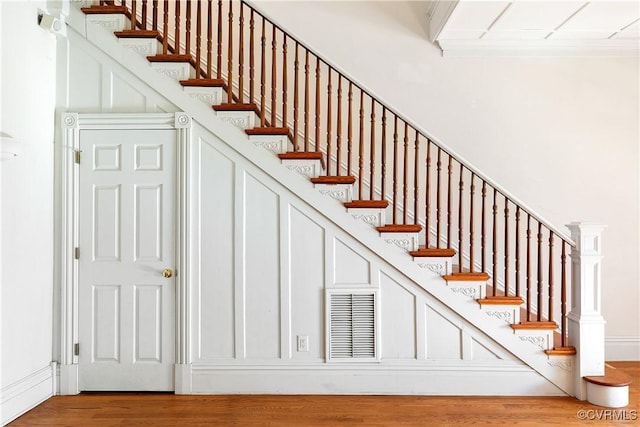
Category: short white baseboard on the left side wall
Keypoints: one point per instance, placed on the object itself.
(25, 394)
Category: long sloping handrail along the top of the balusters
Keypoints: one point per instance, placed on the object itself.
(449, 151)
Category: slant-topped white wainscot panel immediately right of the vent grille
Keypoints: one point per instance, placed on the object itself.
(398, 319)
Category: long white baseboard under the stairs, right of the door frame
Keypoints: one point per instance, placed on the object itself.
(453, 380)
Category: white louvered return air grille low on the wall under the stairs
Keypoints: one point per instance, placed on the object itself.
(352, 326)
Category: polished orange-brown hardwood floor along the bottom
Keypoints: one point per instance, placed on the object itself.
(160, 409)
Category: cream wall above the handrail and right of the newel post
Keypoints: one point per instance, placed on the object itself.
(559, 133)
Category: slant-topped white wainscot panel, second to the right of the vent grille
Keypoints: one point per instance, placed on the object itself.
(444, 339)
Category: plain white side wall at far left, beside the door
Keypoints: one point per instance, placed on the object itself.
(28, 97)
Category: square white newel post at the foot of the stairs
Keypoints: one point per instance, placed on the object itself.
(586, 324)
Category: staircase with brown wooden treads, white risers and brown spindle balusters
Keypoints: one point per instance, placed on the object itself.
(482, 244)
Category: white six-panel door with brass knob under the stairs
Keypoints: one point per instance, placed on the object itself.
(126, 259)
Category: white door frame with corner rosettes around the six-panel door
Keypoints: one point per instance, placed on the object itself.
(71, 124)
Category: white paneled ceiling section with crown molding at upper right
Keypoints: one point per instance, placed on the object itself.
(535, 28)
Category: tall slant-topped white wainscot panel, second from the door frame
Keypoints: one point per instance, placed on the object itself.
(261, 270)
